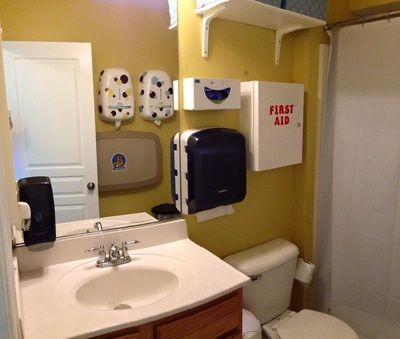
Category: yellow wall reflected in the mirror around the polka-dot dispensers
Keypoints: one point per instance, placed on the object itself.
(129, 34)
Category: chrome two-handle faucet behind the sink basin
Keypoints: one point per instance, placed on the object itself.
(117, 255)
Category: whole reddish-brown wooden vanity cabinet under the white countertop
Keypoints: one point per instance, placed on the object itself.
(218, 319)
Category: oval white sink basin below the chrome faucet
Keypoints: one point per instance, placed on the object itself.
(126, 288)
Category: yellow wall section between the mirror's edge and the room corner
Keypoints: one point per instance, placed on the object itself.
(242, 52)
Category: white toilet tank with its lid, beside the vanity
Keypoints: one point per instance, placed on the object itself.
(271, 266)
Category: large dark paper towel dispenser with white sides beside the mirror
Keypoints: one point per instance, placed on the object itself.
(212, 168)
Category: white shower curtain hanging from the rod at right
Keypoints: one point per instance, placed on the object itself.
(358, 207)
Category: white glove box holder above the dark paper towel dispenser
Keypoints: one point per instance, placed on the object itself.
(210, 94)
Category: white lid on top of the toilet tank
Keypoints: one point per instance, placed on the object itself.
(264, 257)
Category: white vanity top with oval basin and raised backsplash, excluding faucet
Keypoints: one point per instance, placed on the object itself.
(64, 295)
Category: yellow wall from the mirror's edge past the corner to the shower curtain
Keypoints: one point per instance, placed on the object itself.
(274, 198)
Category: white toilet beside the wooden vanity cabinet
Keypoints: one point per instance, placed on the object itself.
(271, 267)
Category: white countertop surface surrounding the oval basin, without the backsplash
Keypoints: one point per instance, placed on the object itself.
(47, 315)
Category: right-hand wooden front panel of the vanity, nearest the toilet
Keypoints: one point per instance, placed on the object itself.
(222, 320)
